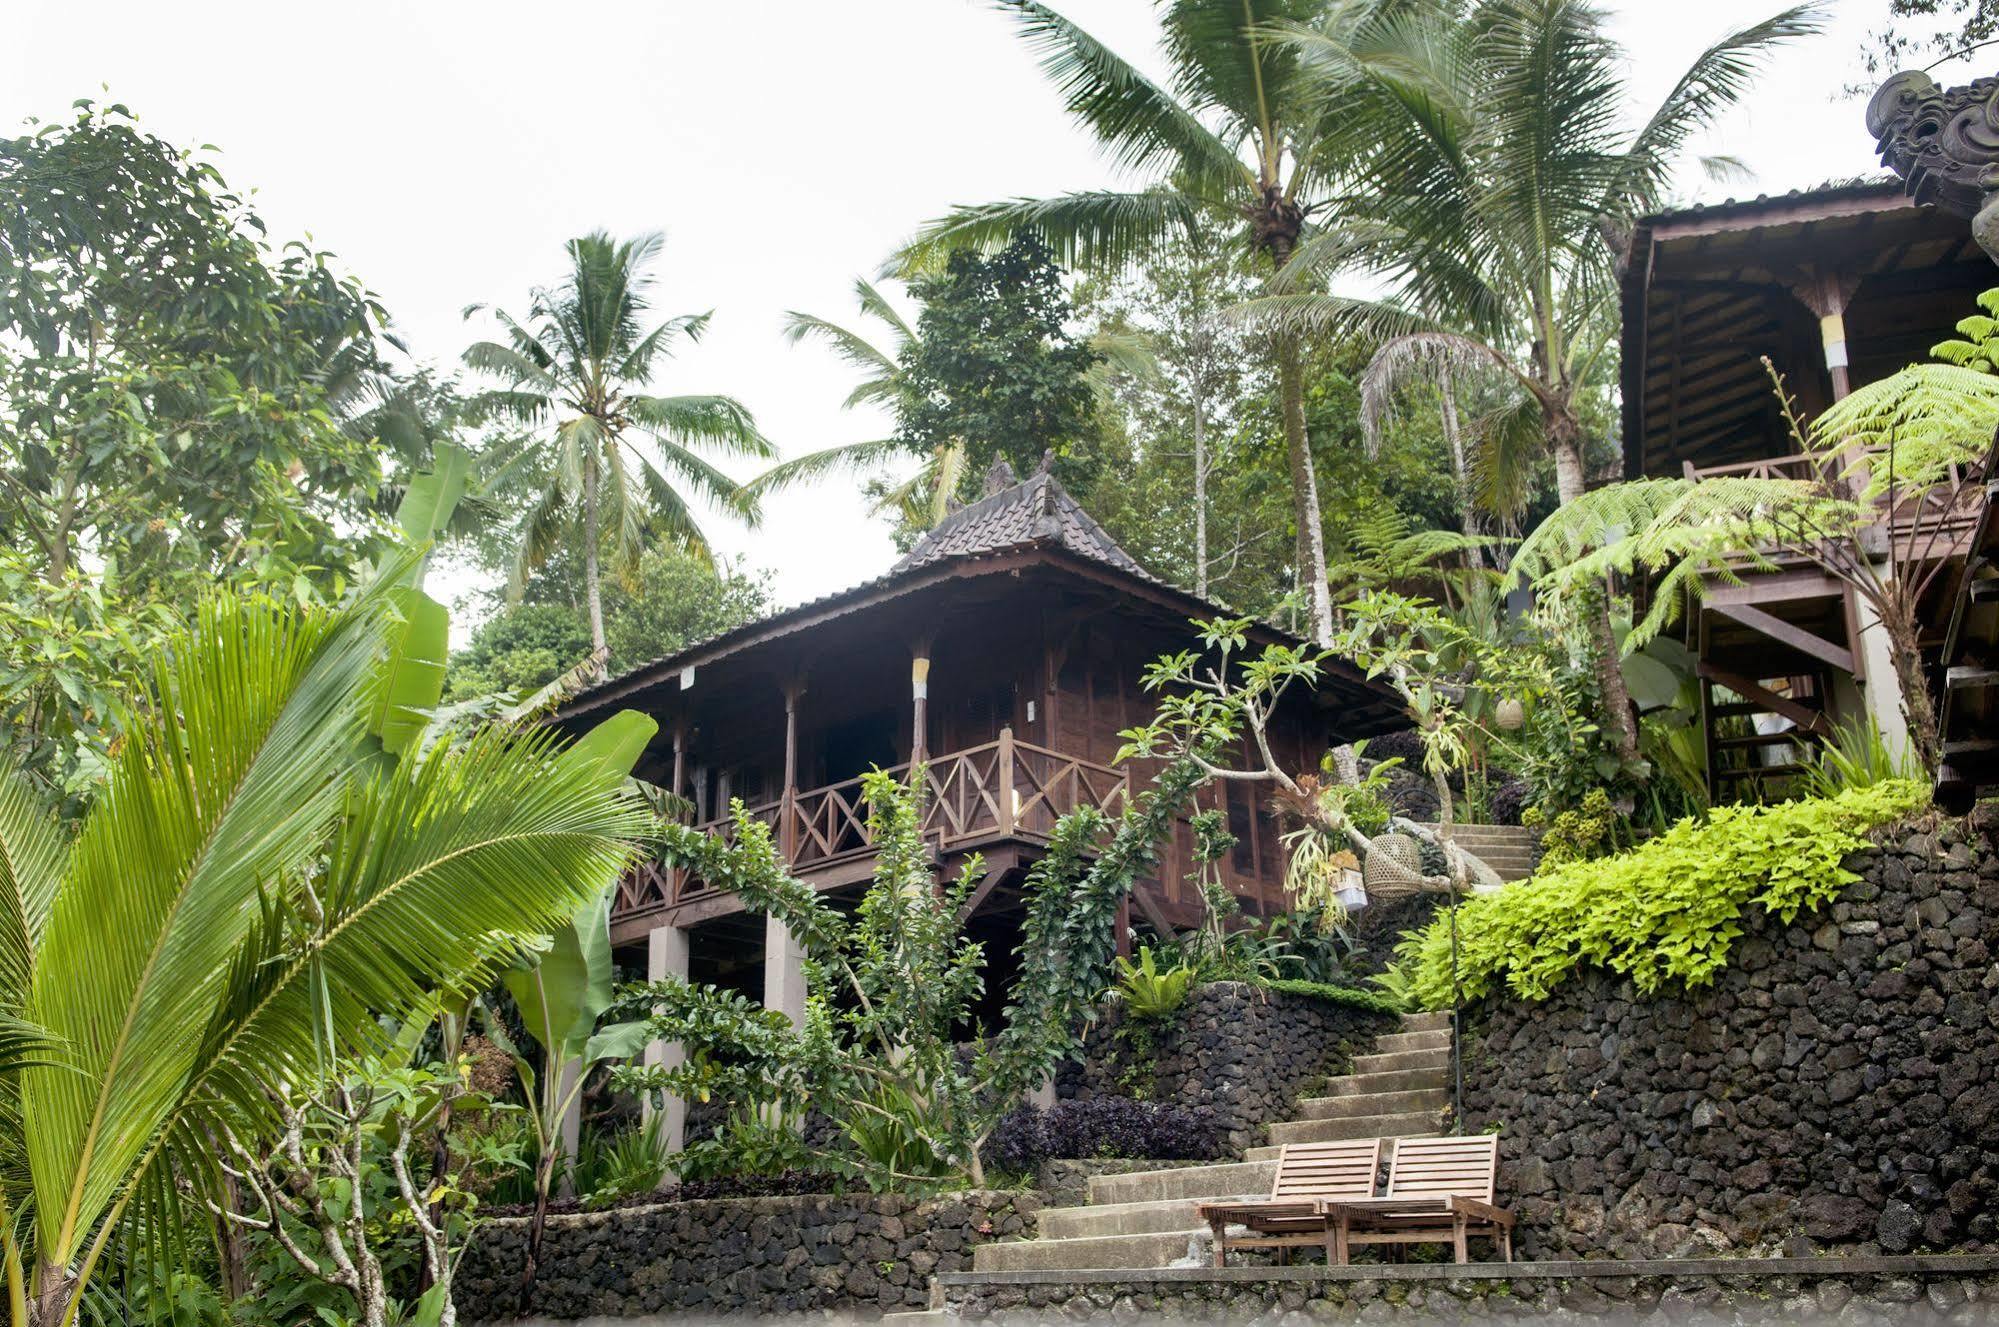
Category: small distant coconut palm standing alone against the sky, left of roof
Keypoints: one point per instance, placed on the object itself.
(575, 373)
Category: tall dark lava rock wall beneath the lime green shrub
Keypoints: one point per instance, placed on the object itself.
(1838, 1088)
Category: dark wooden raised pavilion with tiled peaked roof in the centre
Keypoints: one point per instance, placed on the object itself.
(1002, 653)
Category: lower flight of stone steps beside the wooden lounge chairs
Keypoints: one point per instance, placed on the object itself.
(1150, 1218)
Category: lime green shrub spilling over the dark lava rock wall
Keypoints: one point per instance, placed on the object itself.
(1666, 912)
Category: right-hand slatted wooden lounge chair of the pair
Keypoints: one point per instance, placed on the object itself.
(1440, 1190)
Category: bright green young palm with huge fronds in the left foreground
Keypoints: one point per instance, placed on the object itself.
(275, 864)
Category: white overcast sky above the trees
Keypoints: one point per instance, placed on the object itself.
(785, 147)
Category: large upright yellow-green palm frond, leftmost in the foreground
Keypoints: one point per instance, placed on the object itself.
(203, 812)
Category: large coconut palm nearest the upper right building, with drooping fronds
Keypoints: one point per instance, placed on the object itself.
(1494, 159)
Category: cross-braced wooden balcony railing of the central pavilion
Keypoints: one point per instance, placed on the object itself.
(999, 790)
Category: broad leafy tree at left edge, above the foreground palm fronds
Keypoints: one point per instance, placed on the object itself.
(181, 403)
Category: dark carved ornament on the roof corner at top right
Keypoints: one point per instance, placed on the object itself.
(1944, 143)
